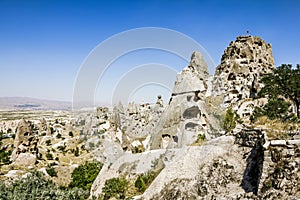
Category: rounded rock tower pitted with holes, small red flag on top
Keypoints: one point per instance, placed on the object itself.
(242, 65)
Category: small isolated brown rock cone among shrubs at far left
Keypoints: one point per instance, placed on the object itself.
(25, 145)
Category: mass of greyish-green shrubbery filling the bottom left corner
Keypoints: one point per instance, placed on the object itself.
(35, 186)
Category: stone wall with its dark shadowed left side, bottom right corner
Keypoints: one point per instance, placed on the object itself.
(272, 170)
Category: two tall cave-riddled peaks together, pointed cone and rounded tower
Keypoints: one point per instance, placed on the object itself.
(199, 100)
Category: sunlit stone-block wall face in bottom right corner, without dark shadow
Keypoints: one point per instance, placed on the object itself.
(281, 174)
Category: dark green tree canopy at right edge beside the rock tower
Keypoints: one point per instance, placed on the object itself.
(283, 82)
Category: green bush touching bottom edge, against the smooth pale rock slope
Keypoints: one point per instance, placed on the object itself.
(115, 187)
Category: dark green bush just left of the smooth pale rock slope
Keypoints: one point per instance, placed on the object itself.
(84, 175)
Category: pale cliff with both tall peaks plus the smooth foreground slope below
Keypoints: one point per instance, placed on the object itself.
(232, 166)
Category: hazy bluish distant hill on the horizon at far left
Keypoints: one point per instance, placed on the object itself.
(25, 103)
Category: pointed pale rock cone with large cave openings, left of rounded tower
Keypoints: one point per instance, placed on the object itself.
(186, 115)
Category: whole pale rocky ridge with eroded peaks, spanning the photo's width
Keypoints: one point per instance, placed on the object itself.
(183, 143)
